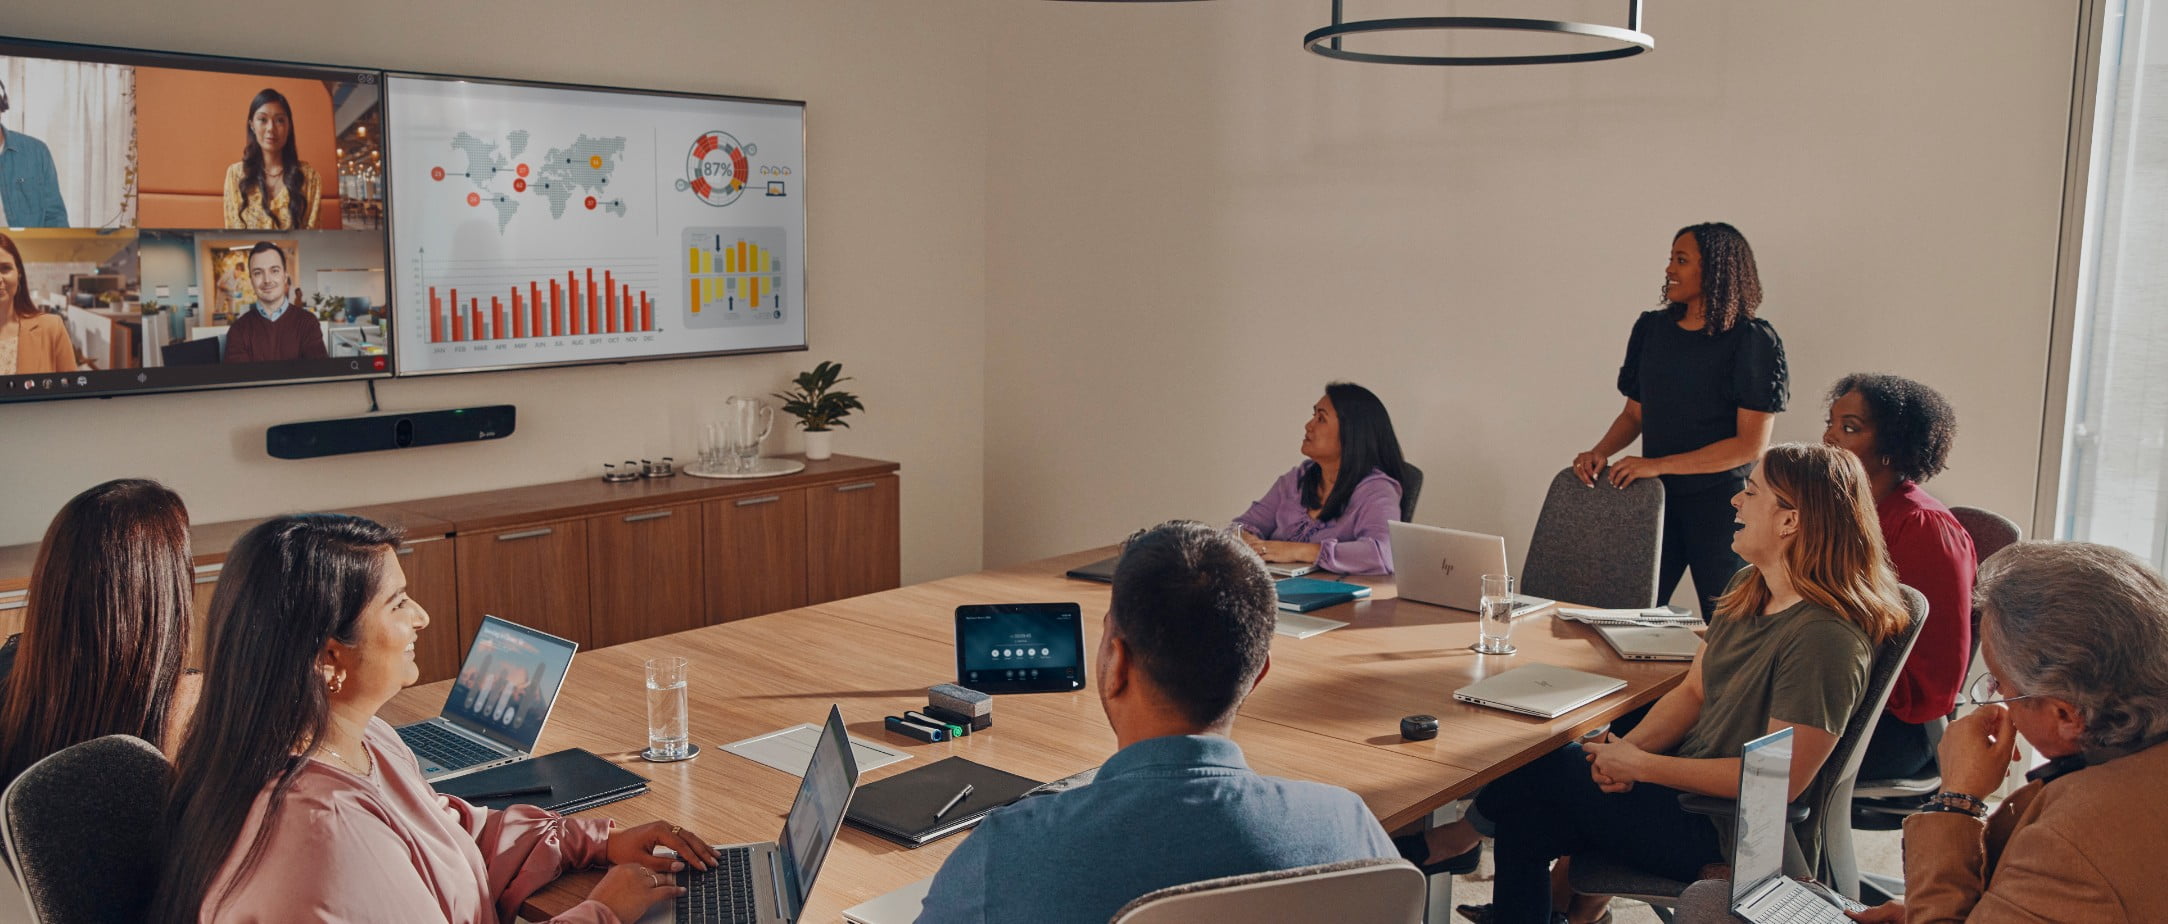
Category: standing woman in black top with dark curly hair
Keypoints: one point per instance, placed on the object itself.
(1703, 383)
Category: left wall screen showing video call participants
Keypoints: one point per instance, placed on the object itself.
(188, 222)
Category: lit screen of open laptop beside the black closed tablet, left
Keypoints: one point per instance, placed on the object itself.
(508, 682)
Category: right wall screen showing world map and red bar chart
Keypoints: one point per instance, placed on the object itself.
(556, 224)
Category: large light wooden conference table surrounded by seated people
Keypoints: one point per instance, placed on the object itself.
(1328, 710)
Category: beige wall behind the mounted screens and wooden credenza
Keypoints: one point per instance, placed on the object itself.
(899, 136)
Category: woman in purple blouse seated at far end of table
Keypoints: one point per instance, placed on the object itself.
(1332, 509)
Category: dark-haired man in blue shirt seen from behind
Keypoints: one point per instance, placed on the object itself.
(1185, 641)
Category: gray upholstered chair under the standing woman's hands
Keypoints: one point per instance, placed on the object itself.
(1599, 546)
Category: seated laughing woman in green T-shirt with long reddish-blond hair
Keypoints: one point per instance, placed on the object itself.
(1792, 647)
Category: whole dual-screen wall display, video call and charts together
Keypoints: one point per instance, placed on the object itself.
(188, 222)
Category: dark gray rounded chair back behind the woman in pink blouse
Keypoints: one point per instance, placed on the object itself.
(81, 830)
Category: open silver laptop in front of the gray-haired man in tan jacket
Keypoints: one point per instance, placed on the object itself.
(1761, 893)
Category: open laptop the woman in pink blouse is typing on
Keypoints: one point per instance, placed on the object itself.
(771, 882)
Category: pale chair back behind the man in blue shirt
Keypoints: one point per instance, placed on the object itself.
(1347, 893)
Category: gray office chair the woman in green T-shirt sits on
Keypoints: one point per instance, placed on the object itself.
(1820, 838)
